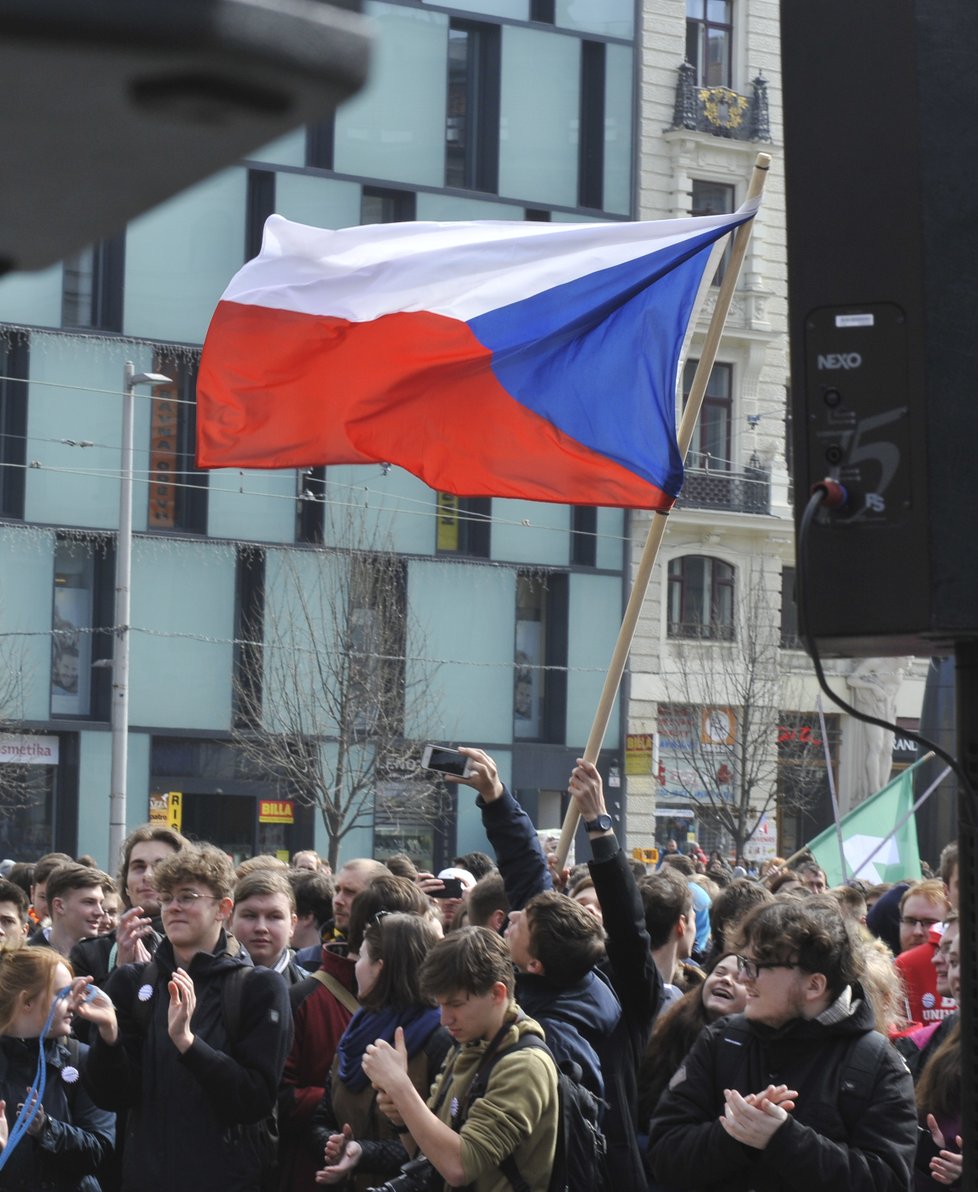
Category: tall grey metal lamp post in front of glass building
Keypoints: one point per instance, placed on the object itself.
(120, 719)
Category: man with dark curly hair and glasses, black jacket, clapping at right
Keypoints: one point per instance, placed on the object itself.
(799, 1092)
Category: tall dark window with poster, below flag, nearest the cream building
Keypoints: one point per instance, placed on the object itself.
(540, 673)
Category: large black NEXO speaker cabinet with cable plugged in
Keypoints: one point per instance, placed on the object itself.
(882, 169)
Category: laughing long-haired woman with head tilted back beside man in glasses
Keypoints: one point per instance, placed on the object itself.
(677, 1030)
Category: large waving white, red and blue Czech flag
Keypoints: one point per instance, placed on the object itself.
(502, 359)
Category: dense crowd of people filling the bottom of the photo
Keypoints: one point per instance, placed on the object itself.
(277, 1028)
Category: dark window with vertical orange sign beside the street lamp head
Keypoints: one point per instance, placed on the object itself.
(178, 492)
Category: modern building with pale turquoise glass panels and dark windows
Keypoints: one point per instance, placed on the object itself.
(506, 110)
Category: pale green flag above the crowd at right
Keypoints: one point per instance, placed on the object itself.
(874, 850)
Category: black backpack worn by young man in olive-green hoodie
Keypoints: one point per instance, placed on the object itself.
(580, 1163)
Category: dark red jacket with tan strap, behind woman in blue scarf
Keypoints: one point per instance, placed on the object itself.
(320, 1020)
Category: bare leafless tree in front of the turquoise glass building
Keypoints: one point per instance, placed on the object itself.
(323, 703)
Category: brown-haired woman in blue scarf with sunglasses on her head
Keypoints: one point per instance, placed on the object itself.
(350, 1128)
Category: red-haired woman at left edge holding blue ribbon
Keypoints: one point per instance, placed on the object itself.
(67, 1140)
